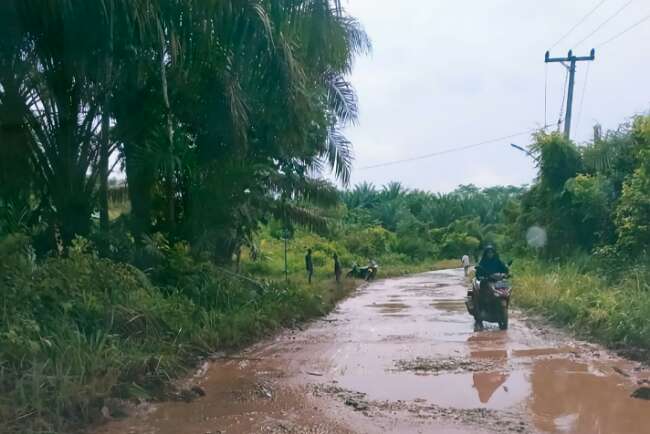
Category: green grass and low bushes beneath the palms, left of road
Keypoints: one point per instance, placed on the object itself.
(79, 329)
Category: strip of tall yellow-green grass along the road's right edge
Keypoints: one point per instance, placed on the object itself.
(583, 298)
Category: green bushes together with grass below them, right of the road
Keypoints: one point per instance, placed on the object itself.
(589, 208)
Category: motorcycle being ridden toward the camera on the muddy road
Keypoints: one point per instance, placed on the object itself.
(489, 300)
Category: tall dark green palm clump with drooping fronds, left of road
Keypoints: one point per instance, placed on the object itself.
(186, 91)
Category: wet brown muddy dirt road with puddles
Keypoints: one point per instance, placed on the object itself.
(400, 356)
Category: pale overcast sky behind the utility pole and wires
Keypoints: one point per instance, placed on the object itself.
(449, 73)
